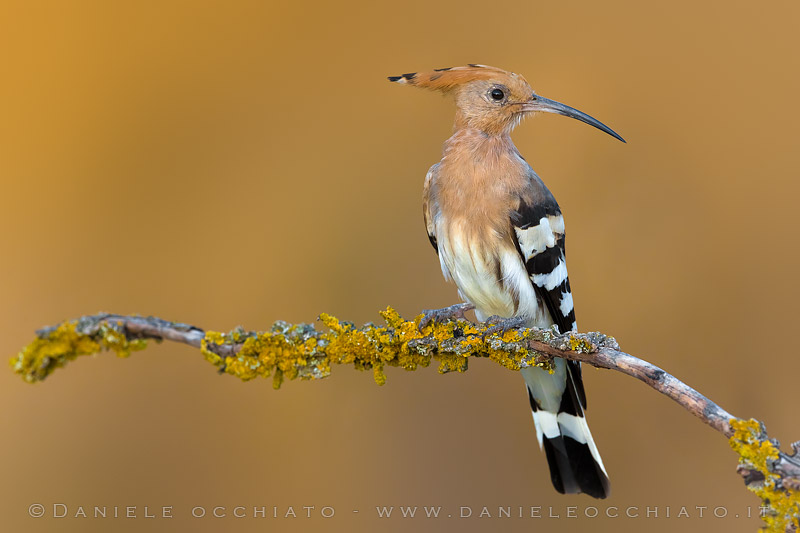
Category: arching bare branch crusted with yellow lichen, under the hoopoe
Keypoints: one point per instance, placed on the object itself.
(301, 351)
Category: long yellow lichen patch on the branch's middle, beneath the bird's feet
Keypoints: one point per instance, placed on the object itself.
(289, 353)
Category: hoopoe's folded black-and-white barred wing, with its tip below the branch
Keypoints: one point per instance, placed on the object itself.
(539, 231)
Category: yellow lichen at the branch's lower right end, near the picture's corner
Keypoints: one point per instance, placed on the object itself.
(782, 504)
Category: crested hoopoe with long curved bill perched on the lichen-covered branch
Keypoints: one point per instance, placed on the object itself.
(499, 234)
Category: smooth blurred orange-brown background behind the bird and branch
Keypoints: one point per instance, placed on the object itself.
(236, 163)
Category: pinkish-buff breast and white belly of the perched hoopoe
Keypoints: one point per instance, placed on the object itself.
(471, 196)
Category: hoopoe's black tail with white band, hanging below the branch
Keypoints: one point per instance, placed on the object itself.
(558, 401)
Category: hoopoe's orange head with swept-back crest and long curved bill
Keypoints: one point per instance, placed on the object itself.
(490, 99)
